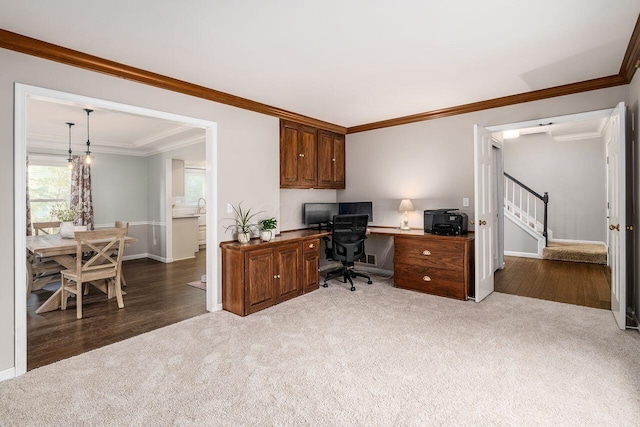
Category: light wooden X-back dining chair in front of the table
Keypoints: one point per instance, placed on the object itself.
(101, 270)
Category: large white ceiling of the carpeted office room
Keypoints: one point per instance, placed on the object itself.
(346, 62)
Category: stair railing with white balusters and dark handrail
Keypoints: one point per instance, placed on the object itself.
(527, 209)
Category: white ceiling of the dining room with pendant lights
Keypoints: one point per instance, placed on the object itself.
(110, 131)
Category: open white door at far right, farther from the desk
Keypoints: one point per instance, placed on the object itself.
(617, 222)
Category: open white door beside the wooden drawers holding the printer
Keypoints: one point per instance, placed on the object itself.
(485, 218)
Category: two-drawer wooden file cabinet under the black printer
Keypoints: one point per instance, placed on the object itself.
(439, 265)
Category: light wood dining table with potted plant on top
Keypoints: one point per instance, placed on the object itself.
(62, 251)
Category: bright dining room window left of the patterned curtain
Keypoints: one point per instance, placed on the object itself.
(49, 184)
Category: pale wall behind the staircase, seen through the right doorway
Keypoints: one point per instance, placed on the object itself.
(574, 175)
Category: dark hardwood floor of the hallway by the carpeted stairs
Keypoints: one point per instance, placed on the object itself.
(567, 282)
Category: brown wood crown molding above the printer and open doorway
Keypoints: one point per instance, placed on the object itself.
(536, 95)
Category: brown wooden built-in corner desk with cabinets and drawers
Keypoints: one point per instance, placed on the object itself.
(259, 274)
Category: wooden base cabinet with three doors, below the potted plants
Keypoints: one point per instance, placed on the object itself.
(259, 275)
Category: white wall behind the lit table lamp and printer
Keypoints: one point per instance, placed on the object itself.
(431, 162)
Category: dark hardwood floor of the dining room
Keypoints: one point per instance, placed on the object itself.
(157, 296)
